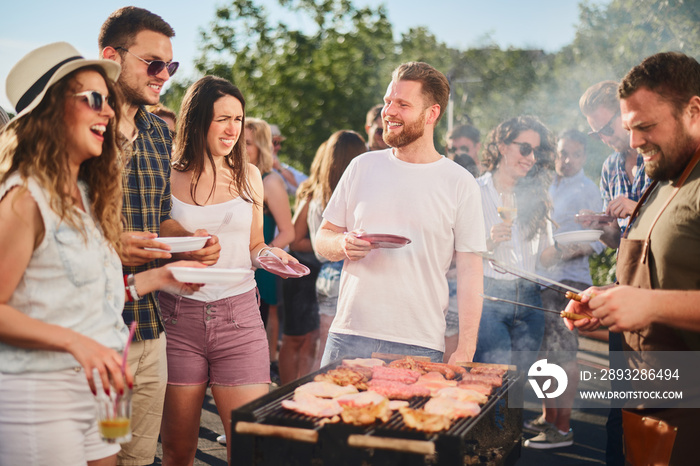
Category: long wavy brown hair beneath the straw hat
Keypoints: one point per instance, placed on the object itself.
(35, 146)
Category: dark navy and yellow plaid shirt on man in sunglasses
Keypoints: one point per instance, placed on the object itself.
(147, 203)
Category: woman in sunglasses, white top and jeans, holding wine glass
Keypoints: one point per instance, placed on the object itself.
(518, 158)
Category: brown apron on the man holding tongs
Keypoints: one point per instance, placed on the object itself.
(653, 436)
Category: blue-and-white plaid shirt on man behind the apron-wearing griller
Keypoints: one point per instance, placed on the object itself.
(614, 182)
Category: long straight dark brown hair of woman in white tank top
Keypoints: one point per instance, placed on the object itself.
(196, 115)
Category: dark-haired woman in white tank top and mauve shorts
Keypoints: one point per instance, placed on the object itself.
(215, 337)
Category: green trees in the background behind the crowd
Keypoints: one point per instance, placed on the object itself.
(314, 82)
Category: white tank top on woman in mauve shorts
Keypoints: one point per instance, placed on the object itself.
(233, 237)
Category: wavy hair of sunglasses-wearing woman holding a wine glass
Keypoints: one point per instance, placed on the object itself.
(531, 191)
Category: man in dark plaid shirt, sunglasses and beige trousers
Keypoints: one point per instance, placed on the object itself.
(140, 42)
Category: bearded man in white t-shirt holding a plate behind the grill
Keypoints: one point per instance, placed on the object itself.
(394, 300)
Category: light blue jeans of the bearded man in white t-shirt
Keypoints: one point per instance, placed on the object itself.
(340, 345)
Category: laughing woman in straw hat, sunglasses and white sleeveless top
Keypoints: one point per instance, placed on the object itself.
(61, 285)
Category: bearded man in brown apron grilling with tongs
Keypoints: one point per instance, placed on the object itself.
(658, 264)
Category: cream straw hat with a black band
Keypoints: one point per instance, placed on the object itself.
(40, 69)
